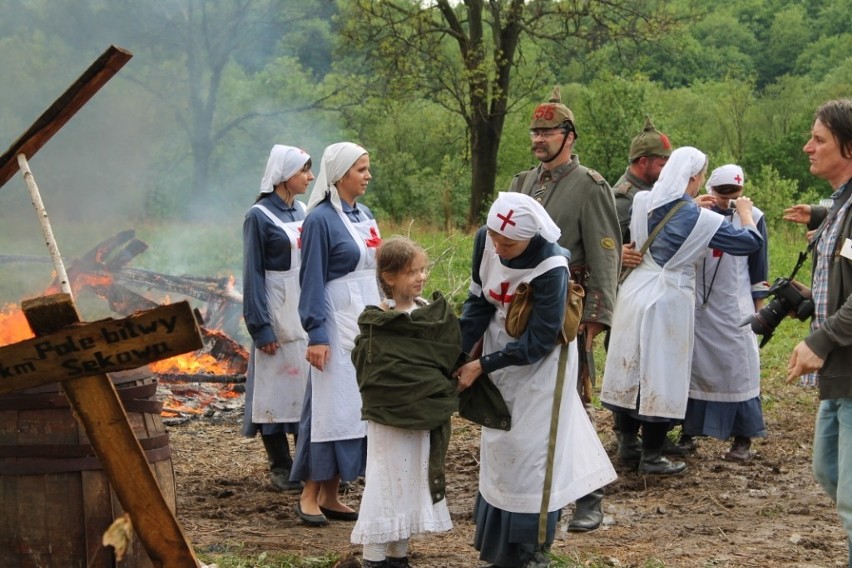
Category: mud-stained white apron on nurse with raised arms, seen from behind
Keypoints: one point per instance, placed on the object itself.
(650, 347)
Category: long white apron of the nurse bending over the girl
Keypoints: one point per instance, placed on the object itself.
(512, 464)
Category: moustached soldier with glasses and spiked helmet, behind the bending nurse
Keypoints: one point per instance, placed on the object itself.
(581, 203)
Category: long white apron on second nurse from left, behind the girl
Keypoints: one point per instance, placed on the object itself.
(335, 398)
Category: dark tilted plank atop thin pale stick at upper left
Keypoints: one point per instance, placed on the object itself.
(66, 106)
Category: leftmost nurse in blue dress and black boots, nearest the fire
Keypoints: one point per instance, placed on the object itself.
(278, 372)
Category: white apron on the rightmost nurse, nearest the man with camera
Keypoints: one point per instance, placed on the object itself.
(725, 359)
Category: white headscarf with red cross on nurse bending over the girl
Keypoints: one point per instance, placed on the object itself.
(520, 217)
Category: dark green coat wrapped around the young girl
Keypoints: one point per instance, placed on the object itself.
(404, 364)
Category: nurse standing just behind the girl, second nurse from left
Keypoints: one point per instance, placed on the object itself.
(338, 278)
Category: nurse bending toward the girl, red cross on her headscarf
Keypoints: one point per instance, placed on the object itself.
(517, 245)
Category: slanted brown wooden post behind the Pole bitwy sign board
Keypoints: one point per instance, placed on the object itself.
(98, 408)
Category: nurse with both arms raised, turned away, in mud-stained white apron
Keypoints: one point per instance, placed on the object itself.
(646, 378)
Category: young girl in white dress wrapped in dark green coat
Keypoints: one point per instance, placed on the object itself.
(404, 356)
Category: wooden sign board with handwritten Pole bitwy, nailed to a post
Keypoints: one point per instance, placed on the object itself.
(100, 347)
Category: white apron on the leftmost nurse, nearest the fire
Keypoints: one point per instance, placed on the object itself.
(280, 379)
